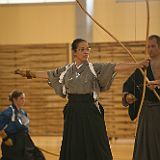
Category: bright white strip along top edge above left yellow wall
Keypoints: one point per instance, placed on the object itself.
(33, 1)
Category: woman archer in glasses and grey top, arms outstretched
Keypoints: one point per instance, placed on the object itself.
(84, 134)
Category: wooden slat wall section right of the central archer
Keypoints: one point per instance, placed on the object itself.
(116, 116)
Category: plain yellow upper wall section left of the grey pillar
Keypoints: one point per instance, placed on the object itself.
(37, 23)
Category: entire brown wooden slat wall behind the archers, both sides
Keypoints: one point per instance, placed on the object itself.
(44, 108)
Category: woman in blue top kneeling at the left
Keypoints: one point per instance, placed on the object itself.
(16, 141)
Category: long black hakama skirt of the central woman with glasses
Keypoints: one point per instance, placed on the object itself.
(84, 135)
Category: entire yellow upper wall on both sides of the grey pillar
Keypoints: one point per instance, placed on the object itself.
(27, 24)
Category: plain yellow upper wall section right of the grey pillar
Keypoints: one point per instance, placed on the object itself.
(126, 21)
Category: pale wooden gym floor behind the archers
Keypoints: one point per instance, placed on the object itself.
(121, 149)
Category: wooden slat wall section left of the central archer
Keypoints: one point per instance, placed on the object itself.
(43, 106)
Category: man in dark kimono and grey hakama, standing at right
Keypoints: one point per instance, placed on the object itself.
(147, 141)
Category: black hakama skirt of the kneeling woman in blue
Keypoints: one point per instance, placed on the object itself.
(23, 149)
